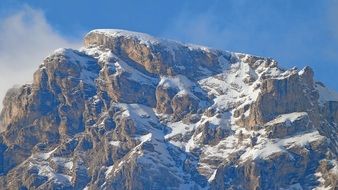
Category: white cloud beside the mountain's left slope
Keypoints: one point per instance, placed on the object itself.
(26, 39)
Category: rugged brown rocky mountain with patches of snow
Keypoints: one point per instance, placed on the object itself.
(131, 111)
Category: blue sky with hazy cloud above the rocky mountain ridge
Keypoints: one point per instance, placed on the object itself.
(294, 32)
